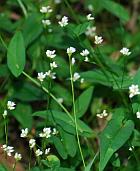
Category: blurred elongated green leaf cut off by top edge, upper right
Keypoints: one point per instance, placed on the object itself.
(116, 9)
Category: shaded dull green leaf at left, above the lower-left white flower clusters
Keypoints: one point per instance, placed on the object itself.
(23, 114)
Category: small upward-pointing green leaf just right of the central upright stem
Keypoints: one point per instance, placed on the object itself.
(83, 101)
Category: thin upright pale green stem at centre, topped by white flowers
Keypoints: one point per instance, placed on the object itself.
(74, 110)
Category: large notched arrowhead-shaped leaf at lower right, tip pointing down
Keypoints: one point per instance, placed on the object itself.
(114, 136)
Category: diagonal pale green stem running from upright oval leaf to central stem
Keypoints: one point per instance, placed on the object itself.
(46, 90)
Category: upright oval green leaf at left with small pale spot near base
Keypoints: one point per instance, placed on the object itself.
(16, 54)
